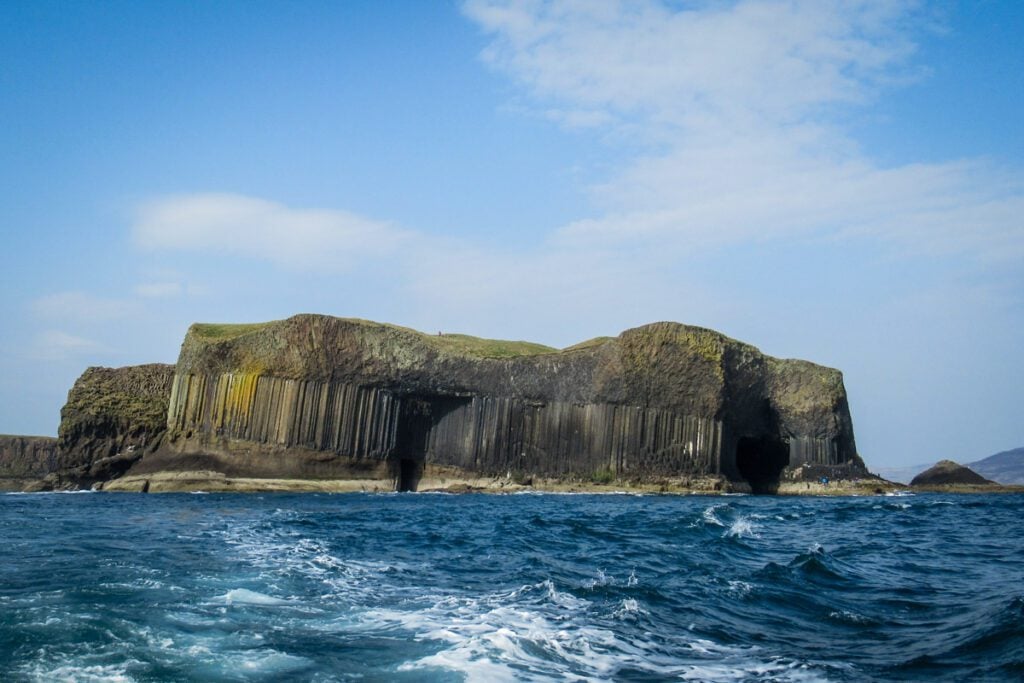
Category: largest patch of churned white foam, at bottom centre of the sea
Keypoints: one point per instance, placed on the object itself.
(541, 633)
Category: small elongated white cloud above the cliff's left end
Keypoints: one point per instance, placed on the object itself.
(260, 229)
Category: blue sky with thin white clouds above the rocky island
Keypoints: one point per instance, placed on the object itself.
(836, 181)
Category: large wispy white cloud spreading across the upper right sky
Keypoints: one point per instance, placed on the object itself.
(735, 105)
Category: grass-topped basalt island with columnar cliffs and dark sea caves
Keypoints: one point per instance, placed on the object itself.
(322, 403)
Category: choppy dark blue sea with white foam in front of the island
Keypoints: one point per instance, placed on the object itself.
(421, 587)
